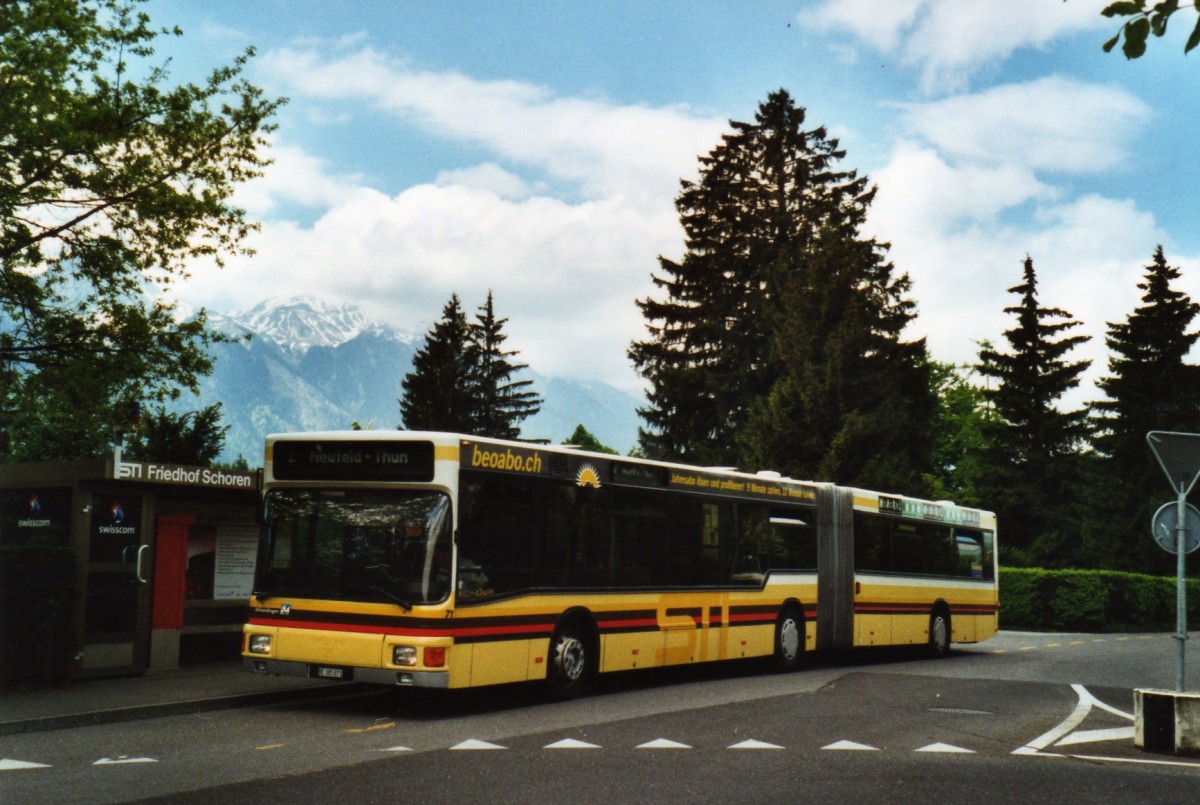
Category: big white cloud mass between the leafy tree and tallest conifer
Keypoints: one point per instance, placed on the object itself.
(566, 268)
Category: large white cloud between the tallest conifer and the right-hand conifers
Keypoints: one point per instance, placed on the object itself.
(979, 183)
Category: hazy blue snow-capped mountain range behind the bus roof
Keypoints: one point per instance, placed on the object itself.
(311, 367)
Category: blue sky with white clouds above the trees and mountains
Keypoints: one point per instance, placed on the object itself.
(536, 149)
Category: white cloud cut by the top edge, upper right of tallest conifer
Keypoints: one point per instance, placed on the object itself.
(950, 40)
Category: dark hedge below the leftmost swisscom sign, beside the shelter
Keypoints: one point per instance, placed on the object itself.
(38, 599)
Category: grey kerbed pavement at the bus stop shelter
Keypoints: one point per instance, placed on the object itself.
(190, 689)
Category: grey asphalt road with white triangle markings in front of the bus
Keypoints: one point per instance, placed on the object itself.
(1046, 718)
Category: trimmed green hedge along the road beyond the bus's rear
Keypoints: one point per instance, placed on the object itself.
(1091, 602)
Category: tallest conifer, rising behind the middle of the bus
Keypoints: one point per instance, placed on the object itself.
(761, 199)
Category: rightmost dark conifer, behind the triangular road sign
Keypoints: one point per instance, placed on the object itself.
(1149, 388)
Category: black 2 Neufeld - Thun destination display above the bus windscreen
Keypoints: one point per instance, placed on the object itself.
(353, 461)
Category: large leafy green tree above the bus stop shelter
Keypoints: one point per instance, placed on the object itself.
(112, 184)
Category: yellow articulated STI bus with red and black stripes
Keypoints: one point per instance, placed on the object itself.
(446, 561)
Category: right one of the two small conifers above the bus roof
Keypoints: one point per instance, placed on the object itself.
(502, 402)
